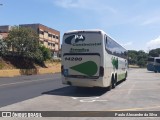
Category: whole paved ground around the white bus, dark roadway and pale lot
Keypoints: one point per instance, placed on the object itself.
(140, 92)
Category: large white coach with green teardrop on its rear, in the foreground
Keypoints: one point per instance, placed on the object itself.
(90, 58)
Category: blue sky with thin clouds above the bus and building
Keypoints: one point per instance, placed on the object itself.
(135, 24)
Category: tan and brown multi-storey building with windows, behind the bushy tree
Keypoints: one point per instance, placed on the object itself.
(49, 37)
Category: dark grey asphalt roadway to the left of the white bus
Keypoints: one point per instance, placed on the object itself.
(16, 89)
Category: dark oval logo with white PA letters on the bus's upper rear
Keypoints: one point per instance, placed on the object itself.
(74, 39)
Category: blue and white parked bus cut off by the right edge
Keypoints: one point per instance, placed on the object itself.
(153, 64)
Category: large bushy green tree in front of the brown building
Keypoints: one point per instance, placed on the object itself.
(24, 42)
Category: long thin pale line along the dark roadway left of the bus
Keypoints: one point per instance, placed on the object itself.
(25, 82)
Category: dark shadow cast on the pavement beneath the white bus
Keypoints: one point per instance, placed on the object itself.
(77, 91)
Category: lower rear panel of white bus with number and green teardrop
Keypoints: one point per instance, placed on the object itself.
(81, 66)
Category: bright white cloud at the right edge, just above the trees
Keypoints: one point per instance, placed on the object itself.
(153, 43)
